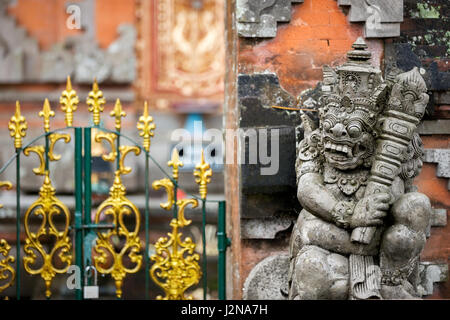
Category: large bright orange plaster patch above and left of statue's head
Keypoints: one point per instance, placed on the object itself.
(318, 34)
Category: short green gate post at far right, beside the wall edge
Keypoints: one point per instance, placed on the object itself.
(222, 242)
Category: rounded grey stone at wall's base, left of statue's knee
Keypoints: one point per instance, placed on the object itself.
(268, 280)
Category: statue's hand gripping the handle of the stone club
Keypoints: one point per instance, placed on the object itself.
(370, 211)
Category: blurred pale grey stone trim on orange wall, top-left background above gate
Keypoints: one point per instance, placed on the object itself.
(80, 56)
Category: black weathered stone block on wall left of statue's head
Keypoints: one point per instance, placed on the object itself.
(263, 196)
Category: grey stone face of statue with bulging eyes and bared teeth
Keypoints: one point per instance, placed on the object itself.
(347, 137)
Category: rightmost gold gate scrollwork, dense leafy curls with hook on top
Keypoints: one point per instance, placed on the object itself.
(176, 267)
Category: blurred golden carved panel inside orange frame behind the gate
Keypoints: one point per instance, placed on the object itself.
(190, 48)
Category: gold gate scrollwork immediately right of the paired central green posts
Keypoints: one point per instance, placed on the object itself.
(109, 258)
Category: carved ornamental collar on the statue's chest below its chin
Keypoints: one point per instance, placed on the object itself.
(345, 185)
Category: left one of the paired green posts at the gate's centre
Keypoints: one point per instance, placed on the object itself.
(79, 208)
